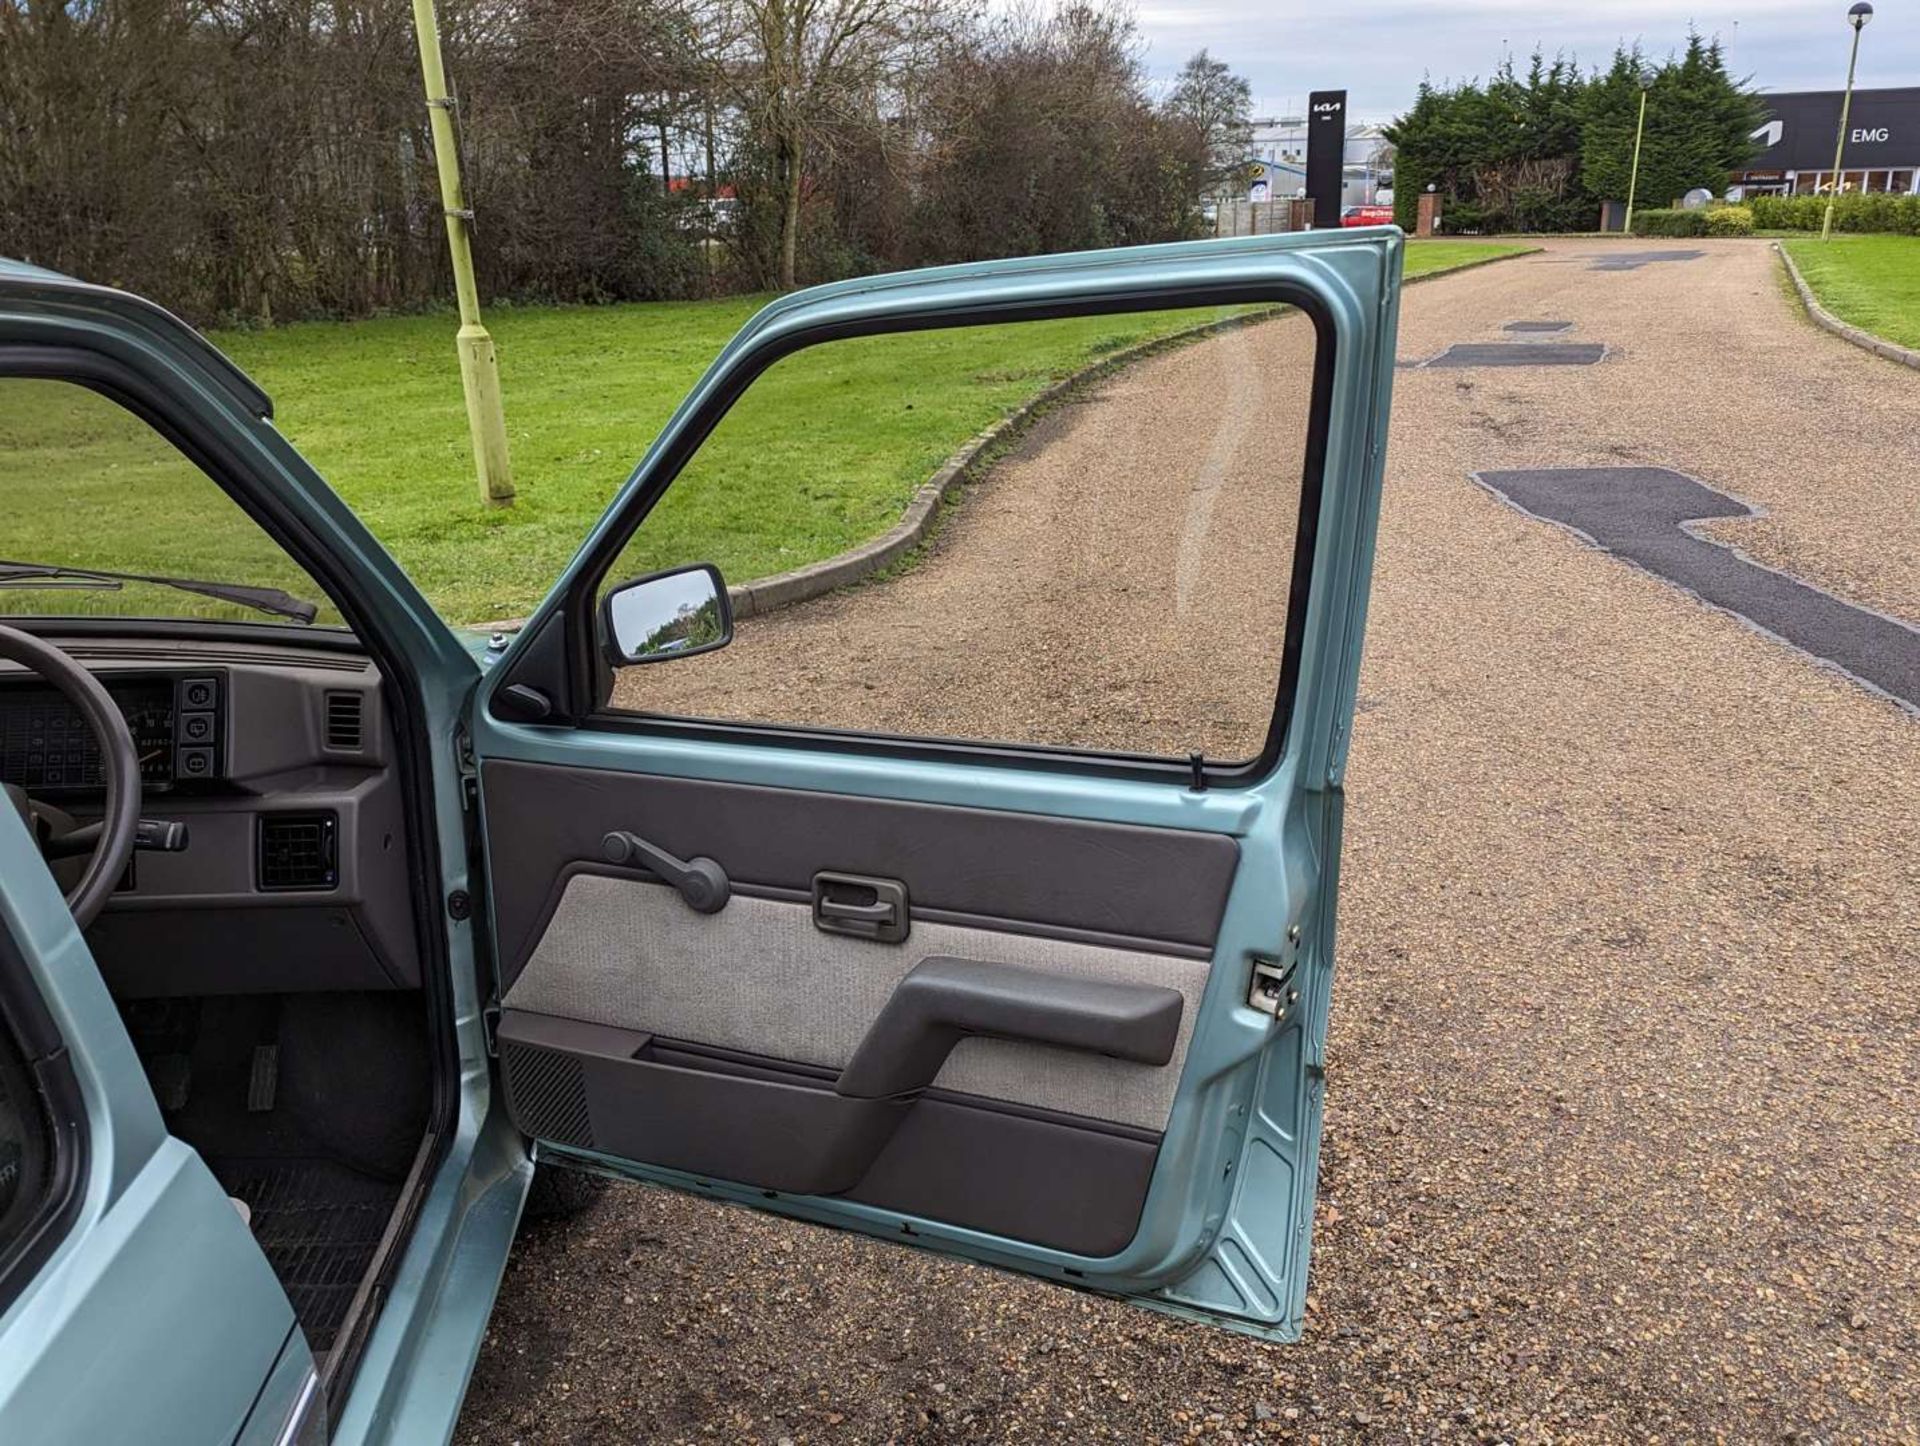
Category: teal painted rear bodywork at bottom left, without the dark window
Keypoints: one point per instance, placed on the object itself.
(156, 1305)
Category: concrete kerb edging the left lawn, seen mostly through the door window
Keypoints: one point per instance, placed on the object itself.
(859, 564)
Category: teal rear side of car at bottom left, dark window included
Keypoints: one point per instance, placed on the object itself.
(133, 1299)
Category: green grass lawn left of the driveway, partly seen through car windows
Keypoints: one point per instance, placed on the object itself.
(825, 452)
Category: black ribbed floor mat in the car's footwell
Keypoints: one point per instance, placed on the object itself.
(320, 1226)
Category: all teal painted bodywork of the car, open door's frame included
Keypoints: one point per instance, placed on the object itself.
(158, 1299)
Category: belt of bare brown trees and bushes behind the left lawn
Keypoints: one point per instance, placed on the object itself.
(266, 160)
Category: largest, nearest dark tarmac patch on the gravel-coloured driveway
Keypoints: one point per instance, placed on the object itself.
(1644, 514)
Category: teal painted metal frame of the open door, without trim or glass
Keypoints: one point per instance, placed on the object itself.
(1224, 1234)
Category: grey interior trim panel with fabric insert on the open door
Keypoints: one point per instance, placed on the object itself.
(1036, 1009)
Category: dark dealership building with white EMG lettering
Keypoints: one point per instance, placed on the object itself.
(1883, 143)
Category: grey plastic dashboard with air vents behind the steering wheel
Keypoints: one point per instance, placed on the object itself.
(279, 763)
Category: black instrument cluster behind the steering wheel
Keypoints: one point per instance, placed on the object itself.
(176, 721)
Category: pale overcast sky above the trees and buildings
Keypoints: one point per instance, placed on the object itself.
(1378, 51)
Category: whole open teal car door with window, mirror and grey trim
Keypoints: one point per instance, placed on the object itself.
(974, 969)
